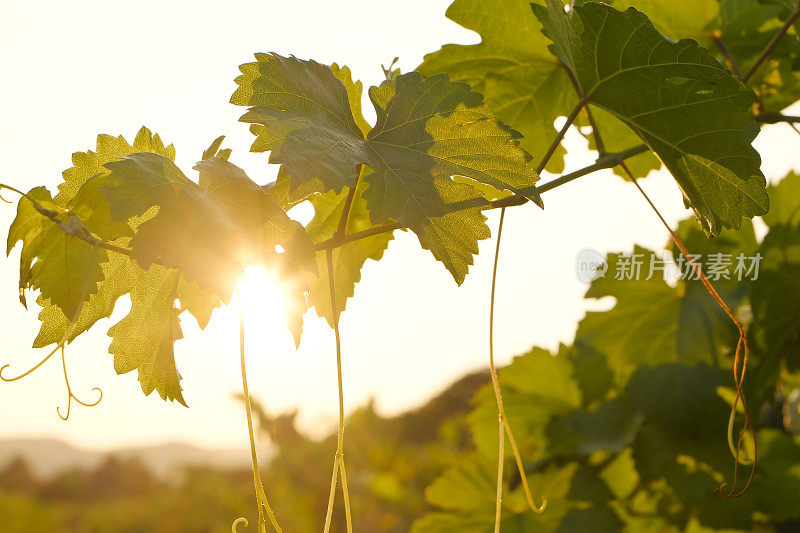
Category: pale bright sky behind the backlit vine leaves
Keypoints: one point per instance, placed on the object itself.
(72, 70)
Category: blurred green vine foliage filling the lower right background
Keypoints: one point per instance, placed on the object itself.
(625, 424)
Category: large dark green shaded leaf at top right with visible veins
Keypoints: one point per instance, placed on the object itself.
(676, 97)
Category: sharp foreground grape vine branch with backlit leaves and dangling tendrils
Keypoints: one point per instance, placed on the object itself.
(452, 139)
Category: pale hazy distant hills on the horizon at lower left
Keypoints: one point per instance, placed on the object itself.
(48, 457)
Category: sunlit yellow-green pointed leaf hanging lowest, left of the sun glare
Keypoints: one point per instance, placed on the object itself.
(144, 339)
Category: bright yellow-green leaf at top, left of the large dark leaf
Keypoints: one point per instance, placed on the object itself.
(520, 80)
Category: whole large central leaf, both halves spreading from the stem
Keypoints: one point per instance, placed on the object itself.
(427, 131)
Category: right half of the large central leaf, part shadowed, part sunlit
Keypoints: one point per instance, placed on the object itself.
(427, 131)
